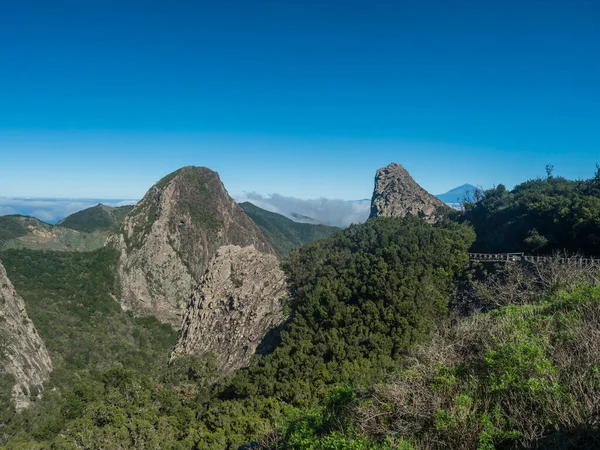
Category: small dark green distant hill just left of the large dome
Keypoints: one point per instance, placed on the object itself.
(97, 218)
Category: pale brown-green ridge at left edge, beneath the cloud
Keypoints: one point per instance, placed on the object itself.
(28, 232)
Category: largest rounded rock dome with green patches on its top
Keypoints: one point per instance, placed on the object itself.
(167, 240)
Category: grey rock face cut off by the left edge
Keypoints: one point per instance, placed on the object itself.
(23, 354)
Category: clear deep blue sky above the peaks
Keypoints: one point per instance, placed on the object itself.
(299, 97)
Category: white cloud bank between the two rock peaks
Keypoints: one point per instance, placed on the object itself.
(340, 213)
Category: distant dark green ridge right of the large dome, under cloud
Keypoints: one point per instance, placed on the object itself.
(282, 233)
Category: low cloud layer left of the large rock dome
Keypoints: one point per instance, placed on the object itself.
(51, 210)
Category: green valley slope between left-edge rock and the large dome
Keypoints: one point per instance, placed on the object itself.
(68, 298)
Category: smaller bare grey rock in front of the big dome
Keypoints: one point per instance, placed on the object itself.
(238, 301)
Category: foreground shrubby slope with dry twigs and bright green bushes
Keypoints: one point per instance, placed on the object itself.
(522, 376)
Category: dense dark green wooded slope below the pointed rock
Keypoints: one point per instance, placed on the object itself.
(359, 299)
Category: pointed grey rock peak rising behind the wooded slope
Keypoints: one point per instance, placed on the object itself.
(396, 194)
